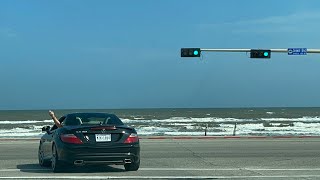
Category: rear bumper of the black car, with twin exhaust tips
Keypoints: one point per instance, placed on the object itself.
(79, 155)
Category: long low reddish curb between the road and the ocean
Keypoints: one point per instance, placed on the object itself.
(187, 137)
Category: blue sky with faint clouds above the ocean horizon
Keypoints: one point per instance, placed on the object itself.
(126, 54)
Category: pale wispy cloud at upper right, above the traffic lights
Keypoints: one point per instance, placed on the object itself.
(301, 22)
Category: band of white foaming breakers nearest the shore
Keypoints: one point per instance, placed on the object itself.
(182, 126)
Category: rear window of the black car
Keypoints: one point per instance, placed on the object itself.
(92, 119)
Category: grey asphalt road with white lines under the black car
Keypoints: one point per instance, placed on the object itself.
(292, 158)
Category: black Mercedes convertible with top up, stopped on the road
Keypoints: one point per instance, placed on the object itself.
(89, 138)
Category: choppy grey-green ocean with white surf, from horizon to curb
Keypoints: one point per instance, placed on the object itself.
(180, 122)
